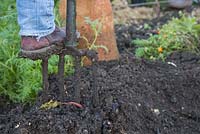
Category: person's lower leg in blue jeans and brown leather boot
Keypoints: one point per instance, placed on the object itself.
(37, 27)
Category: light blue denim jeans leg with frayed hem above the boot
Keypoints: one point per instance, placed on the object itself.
(35, 17)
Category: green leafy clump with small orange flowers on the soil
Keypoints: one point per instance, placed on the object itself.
(179, 34)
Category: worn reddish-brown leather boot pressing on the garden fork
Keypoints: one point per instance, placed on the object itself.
(31, 43)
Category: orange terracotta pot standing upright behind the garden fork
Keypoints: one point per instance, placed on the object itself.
(101, 10)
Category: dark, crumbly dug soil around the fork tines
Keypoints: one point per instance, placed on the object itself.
(136, 96)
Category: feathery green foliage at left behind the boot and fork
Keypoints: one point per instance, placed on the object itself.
(20, 79)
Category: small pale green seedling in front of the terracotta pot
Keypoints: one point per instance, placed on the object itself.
(96, 27)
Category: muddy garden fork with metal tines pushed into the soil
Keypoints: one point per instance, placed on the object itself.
(66, 48)
